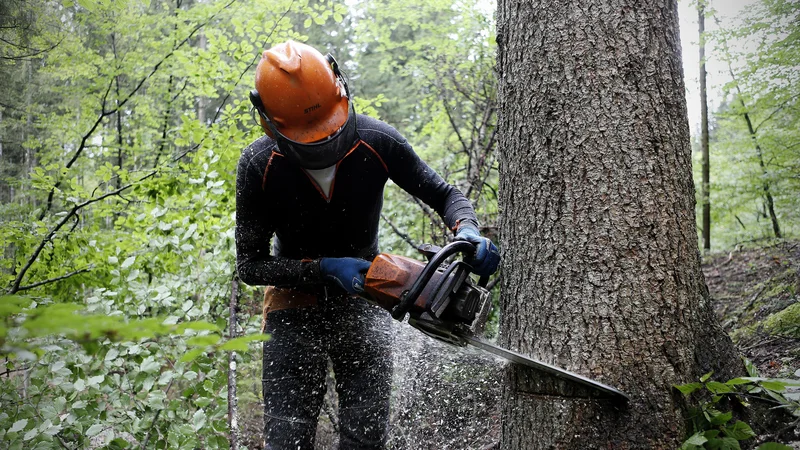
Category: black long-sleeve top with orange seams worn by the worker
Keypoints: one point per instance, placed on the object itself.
(276, 197)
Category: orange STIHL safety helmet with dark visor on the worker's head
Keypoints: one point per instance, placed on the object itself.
(304, 104)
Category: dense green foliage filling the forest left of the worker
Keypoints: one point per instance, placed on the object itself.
(122, 124)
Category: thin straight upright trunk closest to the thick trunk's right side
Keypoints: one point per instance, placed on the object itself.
(706, 167)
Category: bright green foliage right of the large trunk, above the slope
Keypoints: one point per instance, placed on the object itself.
(753, 161)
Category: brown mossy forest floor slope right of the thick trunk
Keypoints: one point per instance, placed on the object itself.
(756, 294)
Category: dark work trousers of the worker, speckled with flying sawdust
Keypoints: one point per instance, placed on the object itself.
(355, 336)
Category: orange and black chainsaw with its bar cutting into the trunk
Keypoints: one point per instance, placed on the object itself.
(443, 301)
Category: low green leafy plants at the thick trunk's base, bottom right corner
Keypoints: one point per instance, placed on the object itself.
(713, 428)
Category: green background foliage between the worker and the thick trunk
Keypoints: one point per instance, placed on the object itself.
(430, 64)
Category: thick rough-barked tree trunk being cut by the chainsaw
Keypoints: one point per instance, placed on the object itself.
(601, 271)
